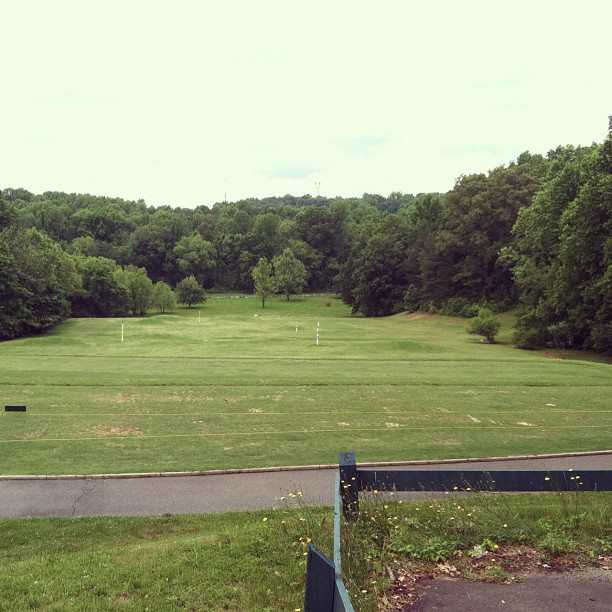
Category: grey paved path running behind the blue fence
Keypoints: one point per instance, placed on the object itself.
(213, 493)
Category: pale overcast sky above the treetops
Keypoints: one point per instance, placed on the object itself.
(179, 102)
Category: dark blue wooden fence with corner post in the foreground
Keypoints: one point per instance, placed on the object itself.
(325, 589)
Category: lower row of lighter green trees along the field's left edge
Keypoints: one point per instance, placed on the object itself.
(41, 285)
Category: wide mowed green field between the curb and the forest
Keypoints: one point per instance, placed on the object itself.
(240, 388)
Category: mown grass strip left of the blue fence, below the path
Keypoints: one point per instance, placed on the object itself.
(217, 562)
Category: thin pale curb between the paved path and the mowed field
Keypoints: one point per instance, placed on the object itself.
(295, 468)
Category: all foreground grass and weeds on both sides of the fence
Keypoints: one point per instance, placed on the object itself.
(255, 561)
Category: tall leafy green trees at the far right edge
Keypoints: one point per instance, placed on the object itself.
(561, 255)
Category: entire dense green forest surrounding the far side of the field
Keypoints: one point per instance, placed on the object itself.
(535, 234)
